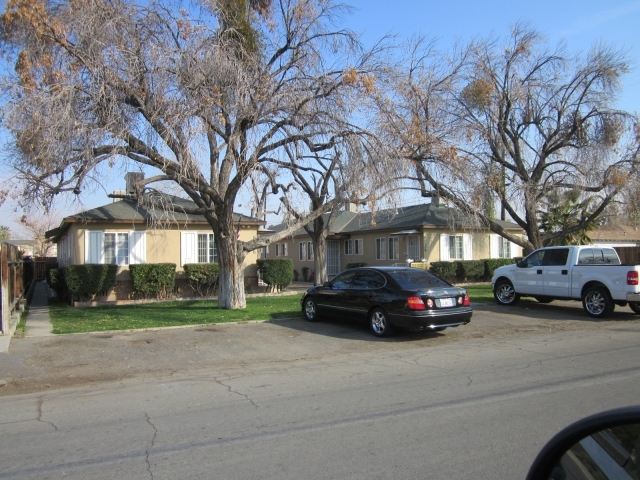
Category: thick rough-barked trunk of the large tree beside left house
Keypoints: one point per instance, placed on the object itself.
(231, 281)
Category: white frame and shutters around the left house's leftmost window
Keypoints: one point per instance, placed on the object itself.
(95, 247)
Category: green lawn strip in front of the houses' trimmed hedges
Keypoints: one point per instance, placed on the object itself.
(66, 319)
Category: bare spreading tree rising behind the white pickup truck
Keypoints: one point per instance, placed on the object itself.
(518, 122)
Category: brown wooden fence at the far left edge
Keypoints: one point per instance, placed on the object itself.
(11, 283)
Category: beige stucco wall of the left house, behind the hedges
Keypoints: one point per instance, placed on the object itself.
(162, 245)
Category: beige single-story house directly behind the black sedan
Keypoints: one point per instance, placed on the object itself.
(420, 233)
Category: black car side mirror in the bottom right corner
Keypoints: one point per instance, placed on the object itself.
(606, 444)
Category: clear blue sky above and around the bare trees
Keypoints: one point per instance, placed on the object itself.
(578, 24)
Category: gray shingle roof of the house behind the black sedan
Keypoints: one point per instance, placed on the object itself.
(402, 219)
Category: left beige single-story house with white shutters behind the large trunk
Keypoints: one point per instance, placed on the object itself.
(125, 233)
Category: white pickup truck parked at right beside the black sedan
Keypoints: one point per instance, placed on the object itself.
(589, 273)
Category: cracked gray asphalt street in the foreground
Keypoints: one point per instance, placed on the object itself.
(324, 400)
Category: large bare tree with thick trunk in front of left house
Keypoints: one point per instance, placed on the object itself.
(102, 83)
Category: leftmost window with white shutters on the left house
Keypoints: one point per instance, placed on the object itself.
(117, 248)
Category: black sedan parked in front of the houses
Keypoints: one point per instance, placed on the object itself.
(390, 297)
